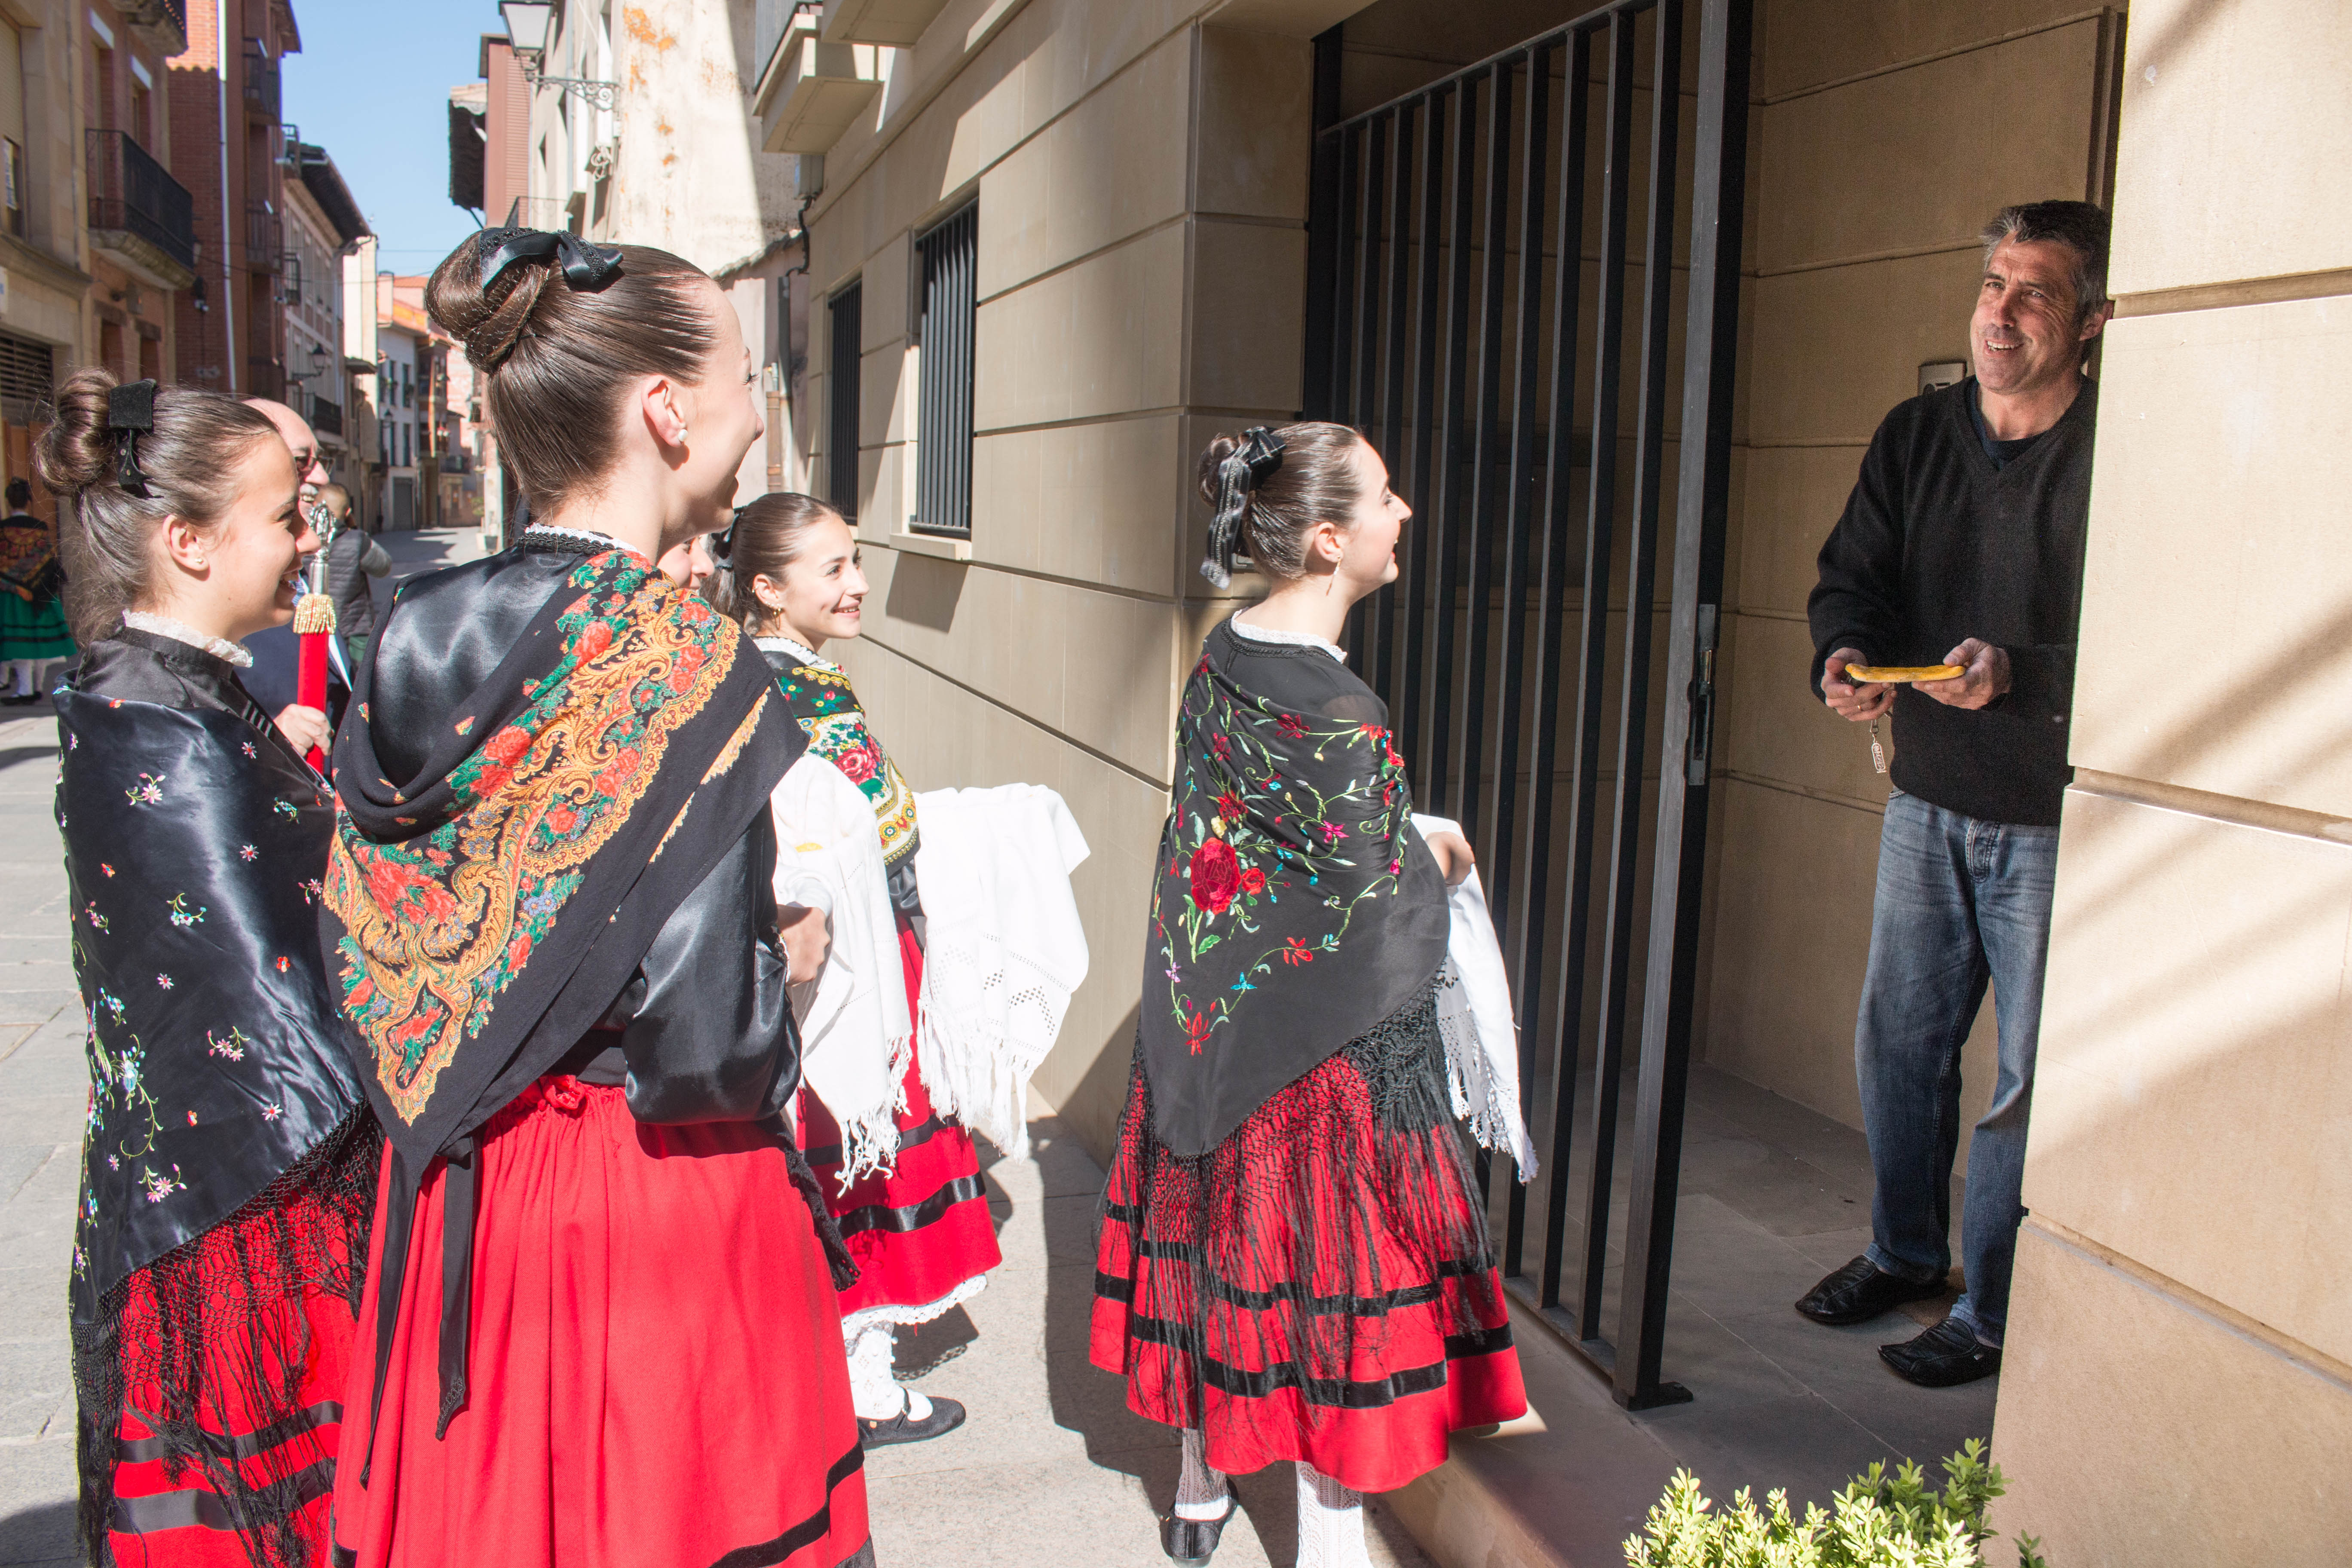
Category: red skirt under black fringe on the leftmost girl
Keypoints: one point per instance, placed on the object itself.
(272, 1332)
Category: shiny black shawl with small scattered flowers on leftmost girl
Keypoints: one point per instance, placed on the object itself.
(194, 852)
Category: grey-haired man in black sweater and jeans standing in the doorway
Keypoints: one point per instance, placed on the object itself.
(1963, 547)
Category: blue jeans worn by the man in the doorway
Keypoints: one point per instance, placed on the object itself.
(1960, 902)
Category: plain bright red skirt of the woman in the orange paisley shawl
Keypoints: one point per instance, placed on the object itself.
(655, 1376)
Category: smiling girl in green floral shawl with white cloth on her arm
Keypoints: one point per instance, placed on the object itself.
(900, 1179)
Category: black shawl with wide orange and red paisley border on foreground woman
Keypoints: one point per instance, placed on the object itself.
(566, 808)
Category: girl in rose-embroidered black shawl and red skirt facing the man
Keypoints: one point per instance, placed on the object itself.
(1295, 1264)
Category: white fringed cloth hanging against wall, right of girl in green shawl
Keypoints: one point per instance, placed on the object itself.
(1003, 949)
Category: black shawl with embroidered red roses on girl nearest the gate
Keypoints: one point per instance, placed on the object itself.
(1295, 906)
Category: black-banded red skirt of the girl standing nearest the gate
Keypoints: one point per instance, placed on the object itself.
(1314, 1289)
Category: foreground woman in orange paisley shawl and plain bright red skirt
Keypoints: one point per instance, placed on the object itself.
(601, 1327)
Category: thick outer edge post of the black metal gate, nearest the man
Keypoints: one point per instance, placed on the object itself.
(1702, 504)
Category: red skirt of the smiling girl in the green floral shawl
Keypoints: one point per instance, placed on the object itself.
(923, 1233)
